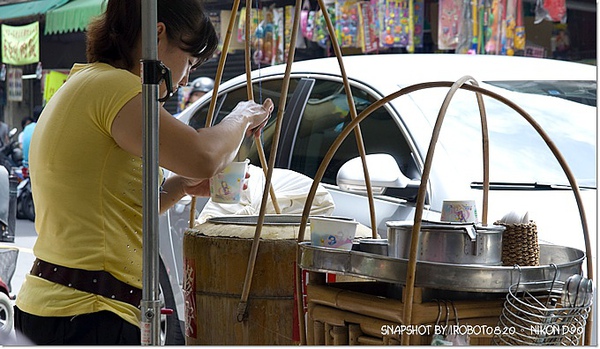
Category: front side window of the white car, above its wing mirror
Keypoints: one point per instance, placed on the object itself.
(325, 116)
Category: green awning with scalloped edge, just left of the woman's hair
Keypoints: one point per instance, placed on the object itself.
(73, 16)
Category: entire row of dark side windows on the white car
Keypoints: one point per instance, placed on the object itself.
(324, 117)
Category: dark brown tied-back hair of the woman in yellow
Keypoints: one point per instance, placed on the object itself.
(112, 35)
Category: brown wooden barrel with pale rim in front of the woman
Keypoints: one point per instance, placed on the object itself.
(216, 256)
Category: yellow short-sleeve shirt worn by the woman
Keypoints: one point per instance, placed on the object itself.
(87, 192)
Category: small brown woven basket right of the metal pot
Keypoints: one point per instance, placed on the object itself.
(520, 244)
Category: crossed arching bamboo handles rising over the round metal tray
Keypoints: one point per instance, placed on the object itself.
(424, 179)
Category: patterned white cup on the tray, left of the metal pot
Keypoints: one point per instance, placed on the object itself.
(332, 232)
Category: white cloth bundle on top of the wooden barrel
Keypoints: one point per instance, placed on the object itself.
(291, 189)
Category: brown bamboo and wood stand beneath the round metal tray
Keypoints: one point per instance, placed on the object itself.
(339, 316)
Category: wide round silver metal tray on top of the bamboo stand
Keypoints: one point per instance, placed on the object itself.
(443, 276)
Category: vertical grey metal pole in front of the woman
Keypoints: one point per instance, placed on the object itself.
(150, 326)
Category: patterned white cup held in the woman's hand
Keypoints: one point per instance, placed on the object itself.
(226, 186)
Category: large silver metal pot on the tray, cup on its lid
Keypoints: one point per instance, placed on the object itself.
(445, 242)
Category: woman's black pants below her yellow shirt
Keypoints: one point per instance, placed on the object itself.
(103, 327)
